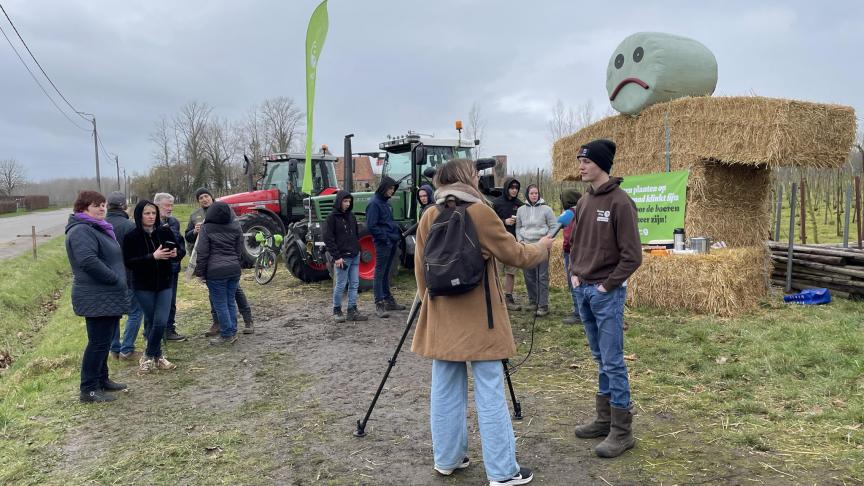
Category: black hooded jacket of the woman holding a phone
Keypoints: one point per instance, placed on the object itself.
(148, 273)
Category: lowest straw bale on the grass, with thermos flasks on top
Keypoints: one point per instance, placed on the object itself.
(725, 282)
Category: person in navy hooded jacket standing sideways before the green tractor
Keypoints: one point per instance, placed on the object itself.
(386, 235)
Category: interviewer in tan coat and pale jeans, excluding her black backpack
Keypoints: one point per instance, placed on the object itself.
(453, 330)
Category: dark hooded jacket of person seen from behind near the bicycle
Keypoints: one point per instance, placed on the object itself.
(220, 244)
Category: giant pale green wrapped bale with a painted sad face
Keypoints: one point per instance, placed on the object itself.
(651, 67)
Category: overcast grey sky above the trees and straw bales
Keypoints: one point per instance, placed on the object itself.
(387, 66)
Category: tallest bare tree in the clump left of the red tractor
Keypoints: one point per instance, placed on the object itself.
(191, 123)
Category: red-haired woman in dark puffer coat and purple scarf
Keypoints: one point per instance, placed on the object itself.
(99, 292)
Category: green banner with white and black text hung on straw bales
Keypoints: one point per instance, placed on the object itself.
(660, 200)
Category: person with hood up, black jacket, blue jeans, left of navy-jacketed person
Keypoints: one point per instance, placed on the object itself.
(343, 246)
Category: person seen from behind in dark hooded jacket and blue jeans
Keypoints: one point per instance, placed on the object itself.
(220, 243)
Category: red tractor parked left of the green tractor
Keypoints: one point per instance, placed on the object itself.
(278, 202)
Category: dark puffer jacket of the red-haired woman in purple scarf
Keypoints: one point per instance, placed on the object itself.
(98, 274)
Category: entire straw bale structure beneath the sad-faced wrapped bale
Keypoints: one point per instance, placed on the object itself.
(729, 146)
